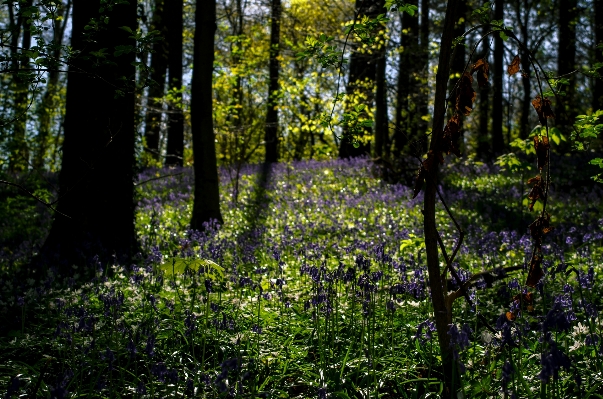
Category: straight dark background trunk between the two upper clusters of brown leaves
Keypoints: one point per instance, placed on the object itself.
(497, 86)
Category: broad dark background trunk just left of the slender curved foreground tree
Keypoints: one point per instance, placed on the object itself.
(407, 71)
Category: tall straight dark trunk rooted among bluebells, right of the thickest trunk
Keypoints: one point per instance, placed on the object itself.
(206, 206)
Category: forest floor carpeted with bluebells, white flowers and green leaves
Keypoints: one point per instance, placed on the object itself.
(314, 286)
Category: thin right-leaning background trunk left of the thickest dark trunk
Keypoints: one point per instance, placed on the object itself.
(49, 101)
